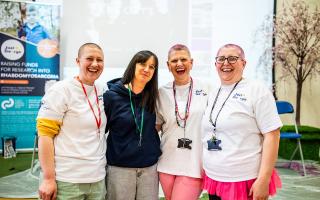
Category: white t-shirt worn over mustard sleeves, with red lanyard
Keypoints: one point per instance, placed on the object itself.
(79, 149)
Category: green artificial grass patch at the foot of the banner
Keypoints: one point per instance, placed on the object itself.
(13, 165)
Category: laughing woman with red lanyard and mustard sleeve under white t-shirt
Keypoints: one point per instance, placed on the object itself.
(71, 127)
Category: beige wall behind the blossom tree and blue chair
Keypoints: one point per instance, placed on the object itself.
(286, 89)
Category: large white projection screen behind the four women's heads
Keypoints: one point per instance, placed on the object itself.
(123, 27)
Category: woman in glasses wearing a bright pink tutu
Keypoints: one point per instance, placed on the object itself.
(240, 134)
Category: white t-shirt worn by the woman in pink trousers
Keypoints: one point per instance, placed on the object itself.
(178, 161)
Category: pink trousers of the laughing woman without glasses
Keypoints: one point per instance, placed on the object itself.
(180, 187)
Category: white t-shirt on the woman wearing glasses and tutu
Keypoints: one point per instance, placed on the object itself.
(249, 113)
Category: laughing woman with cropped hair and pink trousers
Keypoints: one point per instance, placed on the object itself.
(182, 103)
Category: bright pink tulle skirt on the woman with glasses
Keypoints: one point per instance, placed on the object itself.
(238, 190)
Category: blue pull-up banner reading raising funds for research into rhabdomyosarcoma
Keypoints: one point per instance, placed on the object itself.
(29, 62)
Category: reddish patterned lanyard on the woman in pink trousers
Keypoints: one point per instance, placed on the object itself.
(187, 108)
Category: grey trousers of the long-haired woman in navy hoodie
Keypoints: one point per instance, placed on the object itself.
(132, 183)
